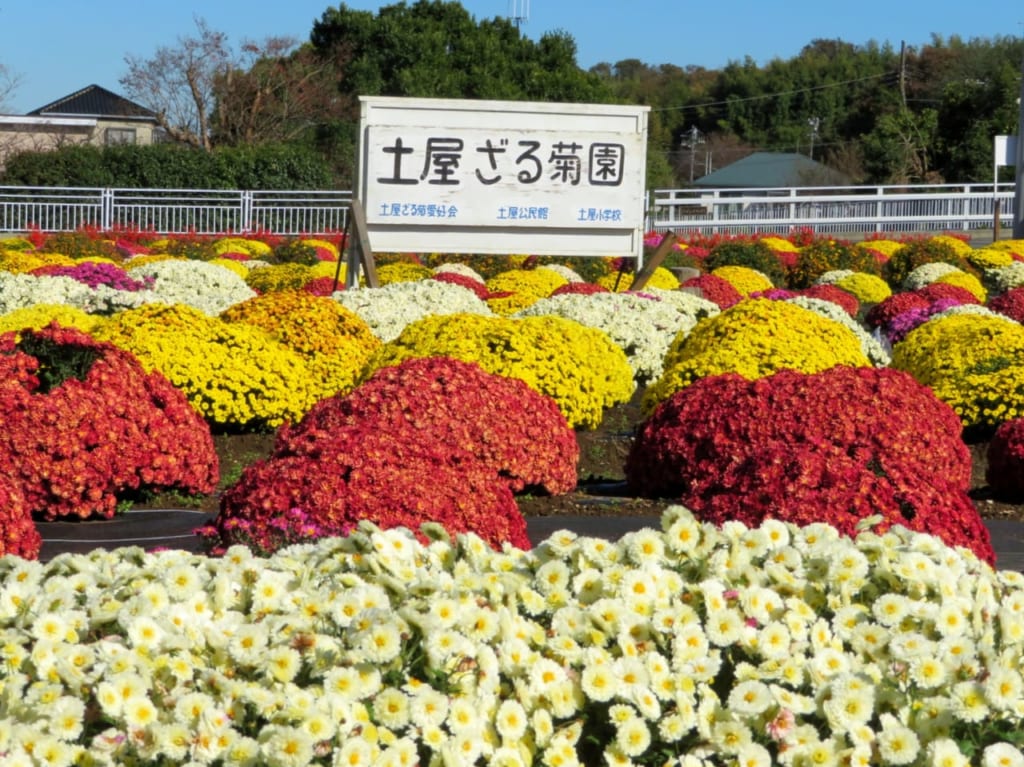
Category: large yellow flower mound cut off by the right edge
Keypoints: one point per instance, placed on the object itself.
(974, 363)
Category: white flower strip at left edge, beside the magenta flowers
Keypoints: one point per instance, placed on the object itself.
(24, 291)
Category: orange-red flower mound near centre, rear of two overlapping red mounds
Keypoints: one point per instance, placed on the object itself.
(516, 432)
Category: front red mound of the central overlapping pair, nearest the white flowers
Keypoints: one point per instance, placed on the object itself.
(363, 473)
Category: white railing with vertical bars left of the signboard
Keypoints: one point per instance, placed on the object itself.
(174, 211)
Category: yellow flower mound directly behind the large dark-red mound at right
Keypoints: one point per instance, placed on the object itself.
(755, 338)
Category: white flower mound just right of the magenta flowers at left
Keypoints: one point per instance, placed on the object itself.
(207, 287)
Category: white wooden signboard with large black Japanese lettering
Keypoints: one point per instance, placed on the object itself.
(477, 177)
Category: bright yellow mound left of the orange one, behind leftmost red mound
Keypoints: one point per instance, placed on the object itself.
(235, 375)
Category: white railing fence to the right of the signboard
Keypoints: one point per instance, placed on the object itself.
(827, 210)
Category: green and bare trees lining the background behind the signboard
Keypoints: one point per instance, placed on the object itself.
(924, 114)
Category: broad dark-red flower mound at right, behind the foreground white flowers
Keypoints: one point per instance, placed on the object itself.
(835, 447)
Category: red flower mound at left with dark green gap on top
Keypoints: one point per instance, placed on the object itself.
(86, 424)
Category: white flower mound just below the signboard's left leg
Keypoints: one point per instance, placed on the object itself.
(390, 309)
